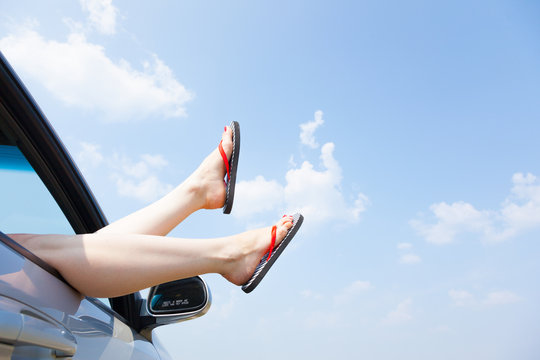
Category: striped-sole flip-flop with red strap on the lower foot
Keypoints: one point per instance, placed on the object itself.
(271, 256)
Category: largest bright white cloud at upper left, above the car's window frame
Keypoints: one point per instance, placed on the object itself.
(80, 74)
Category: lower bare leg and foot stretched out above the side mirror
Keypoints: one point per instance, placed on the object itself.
(109, 265)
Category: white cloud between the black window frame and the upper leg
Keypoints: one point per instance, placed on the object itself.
(136, 180)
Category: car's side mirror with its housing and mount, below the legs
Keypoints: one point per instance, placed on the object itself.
(173, 302)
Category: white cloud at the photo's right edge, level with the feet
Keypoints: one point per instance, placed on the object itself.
(518, 213)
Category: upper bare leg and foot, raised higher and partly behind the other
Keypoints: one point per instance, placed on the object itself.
(204, 189)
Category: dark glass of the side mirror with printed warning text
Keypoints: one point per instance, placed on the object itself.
(178, 297)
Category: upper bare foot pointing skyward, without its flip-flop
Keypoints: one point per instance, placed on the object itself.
(207, 182)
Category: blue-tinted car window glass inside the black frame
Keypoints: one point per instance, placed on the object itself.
(27, 205)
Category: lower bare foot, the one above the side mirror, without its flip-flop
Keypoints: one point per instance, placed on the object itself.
(247, 249)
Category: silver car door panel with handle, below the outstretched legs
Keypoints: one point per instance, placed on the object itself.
(42, 317)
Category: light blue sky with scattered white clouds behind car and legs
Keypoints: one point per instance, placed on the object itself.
(406, 132)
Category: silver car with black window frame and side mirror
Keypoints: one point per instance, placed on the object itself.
(42, 191)
